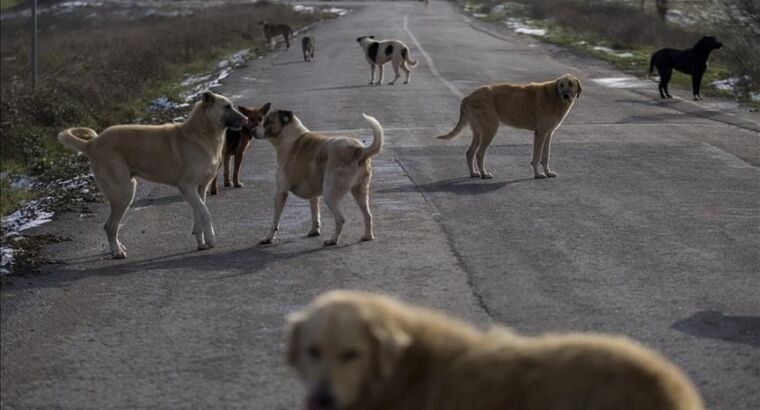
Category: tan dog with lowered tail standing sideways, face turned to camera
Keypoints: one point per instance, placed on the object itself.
(539, 107)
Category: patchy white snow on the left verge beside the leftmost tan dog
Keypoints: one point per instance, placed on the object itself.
(31, 214)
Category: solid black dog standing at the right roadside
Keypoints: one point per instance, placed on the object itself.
(691, 61)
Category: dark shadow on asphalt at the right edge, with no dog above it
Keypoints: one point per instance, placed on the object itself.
(712, 324)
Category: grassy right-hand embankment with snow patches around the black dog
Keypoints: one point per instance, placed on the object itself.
(584, 25)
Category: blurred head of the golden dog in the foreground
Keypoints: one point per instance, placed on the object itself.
(343, 349)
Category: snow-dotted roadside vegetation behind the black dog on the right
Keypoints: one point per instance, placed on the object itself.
(626, 33)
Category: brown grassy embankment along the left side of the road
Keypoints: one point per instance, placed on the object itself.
(102, 69)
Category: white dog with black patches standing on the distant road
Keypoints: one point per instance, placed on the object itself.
(380, 52)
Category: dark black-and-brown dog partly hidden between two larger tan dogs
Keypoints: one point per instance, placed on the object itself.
(235, 144)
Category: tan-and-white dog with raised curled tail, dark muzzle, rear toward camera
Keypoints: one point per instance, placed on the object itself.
(312, 165)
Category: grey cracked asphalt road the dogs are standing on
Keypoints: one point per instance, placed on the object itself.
(650, 230)
